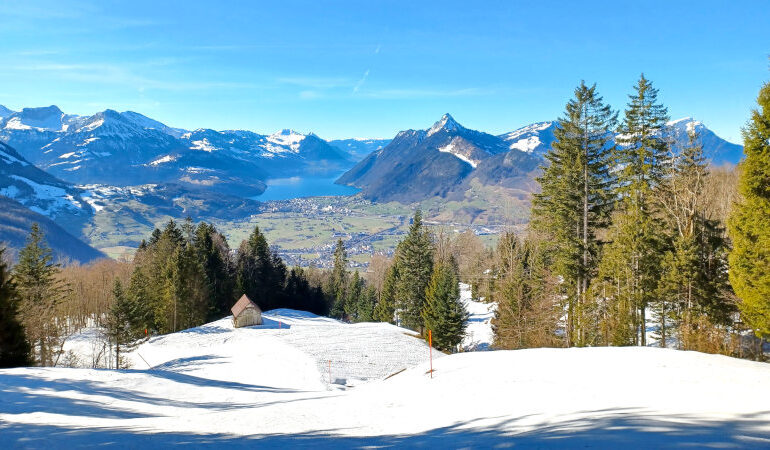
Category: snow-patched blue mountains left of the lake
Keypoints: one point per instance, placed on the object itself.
(87, 149)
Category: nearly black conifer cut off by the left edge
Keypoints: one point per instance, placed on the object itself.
(14, 348)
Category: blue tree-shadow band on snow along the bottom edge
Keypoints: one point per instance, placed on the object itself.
(608, 430)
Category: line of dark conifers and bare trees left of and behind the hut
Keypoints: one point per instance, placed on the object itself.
(181, 277)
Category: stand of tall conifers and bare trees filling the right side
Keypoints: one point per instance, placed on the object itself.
(628, 231)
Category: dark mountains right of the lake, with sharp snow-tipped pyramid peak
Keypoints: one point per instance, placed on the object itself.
(447, 158)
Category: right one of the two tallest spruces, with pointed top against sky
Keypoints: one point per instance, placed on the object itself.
(635, 245)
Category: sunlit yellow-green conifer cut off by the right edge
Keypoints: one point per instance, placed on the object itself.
(749, 223)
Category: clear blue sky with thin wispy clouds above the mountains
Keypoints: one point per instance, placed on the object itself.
(370, 68)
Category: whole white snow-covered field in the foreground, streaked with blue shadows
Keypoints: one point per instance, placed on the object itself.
(269, 386)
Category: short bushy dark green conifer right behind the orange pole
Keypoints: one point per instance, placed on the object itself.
(443, 313)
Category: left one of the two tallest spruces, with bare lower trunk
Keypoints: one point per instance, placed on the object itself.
(575, 199)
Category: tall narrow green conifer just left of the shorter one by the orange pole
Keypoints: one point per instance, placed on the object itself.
(415, 267)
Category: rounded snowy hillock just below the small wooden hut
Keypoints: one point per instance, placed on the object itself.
(357, 352)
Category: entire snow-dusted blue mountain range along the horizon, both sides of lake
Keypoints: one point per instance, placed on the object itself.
(119, 173)
